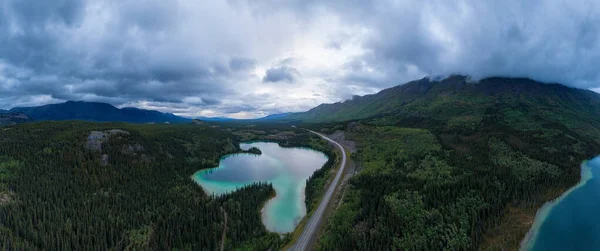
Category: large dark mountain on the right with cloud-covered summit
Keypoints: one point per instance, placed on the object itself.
(458, 101)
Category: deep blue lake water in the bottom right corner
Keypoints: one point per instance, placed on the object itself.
(571, 222)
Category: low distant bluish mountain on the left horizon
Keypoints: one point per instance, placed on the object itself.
(94, 111)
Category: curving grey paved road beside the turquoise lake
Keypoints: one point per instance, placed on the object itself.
(311, 227)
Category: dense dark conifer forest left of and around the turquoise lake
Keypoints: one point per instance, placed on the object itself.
(59, 191)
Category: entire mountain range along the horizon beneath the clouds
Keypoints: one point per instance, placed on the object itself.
(456, 101)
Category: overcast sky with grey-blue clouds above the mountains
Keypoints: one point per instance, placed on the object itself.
(250, 58)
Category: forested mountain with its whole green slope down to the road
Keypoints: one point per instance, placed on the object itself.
(456, 164)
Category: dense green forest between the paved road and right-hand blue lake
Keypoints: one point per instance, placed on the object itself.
(436, 188)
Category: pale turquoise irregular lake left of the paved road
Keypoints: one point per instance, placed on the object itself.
(286, 168)
